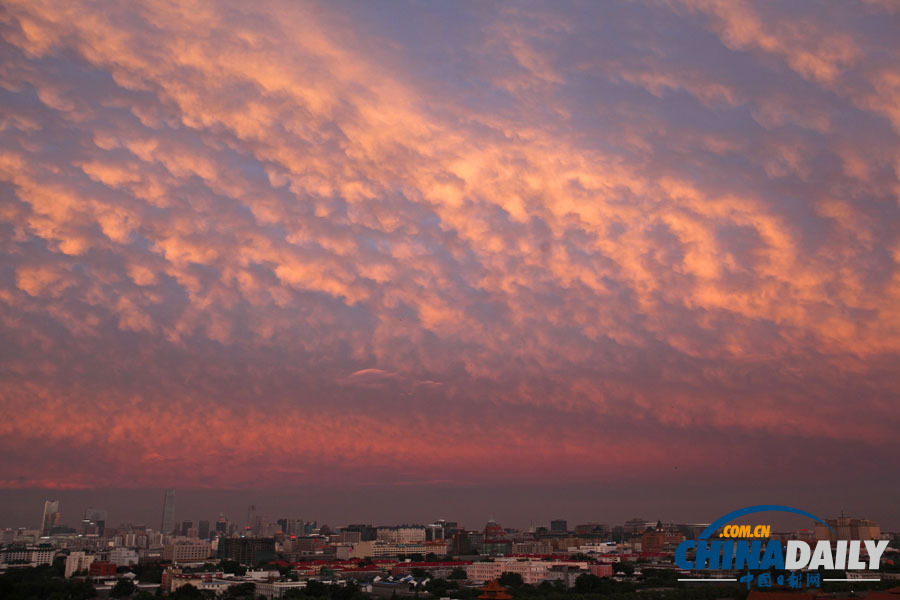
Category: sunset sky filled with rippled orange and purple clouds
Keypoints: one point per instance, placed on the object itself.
(500, 258)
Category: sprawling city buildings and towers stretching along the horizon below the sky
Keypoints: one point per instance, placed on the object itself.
(276, 555)
